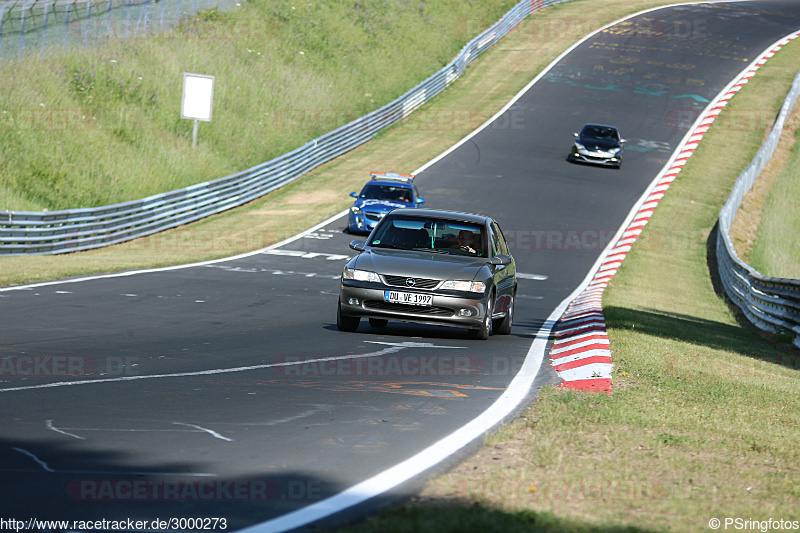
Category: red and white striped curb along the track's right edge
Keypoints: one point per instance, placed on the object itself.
(581, 353)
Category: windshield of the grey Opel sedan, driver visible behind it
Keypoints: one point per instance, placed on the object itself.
(431, 234)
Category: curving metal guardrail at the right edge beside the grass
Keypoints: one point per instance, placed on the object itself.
(772, 304)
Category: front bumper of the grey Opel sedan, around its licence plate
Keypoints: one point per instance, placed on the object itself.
(364, 300)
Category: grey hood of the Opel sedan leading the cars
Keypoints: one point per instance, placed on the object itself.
(412, 263)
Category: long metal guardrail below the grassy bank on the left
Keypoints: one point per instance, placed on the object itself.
(81, 229)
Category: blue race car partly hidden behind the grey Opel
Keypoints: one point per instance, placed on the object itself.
(383, 193)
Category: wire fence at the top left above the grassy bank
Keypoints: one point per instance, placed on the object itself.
(41, 25)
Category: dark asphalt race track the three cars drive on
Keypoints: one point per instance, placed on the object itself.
(178, 393)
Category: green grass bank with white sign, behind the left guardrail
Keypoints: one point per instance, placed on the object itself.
(95, 126)
